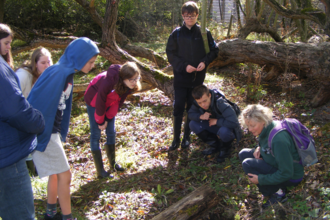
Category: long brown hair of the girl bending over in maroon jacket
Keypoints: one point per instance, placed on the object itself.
(127, 71)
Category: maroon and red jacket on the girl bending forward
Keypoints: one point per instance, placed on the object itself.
(100, 94)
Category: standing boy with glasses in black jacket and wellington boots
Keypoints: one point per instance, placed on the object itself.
(186, 53)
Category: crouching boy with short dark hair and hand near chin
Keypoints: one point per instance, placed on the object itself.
(212, 117)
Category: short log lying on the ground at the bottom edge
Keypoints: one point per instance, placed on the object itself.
(192, 206)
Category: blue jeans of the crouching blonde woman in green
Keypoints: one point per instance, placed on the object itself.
(258, 166)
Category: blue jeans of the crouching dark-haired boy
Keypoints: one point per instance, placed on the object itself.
(224, 133)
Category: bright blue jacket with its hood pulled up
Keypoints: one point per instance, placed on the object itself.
(46, 92)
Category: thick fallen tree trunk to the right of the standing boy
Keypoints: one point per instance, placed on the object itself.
(304, 59)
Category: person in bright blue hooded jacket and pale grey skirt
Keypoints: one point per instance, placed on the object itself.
(52, 95)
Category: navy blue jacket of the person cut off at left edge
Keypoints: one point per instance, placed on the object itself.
(19, 122)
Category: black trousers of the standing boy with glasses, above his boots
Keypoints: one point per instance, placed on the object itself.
(181, 97)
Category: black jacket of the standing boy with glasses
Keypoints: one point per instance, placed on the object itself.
(186, 47)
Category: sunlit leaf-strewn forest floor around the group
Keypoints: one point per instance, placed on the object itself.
(155, 179)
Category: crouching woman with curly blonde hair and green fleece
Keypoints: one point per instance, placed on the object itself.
(272, 174)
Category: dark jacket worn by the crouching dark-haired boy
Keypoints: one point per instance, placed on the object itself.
(221, 110)
